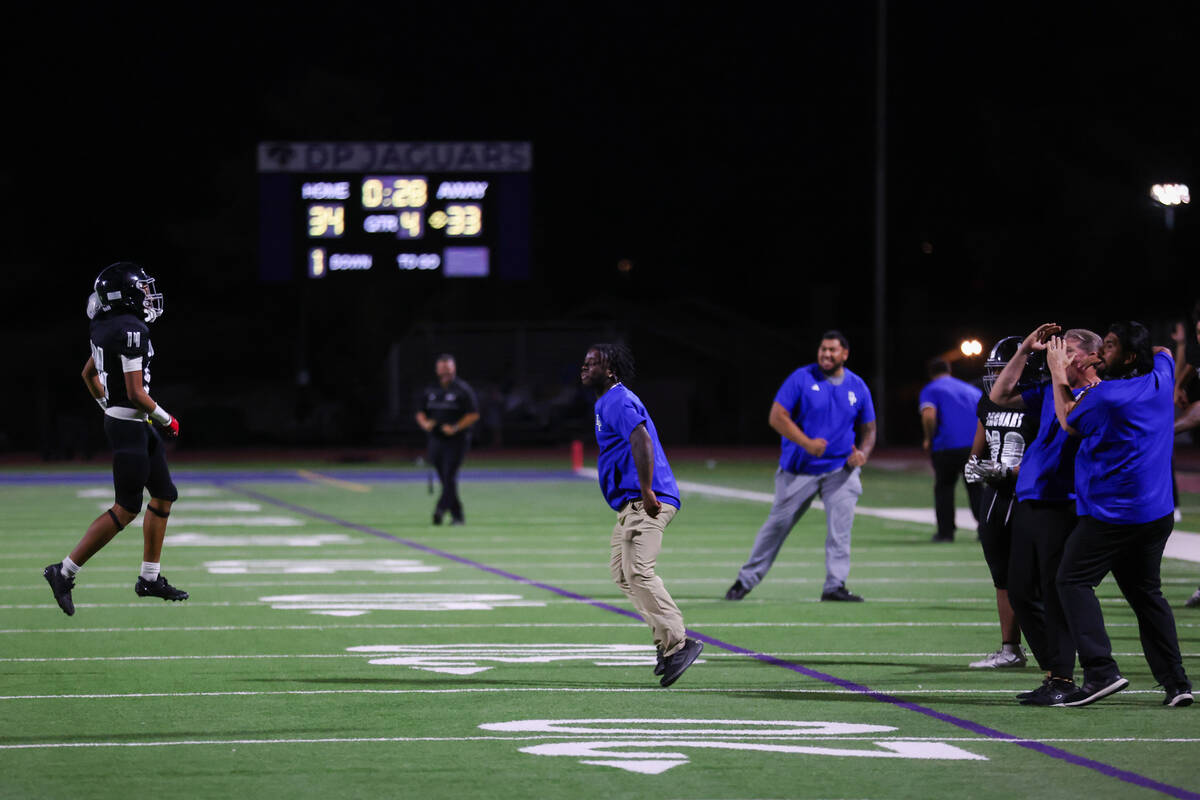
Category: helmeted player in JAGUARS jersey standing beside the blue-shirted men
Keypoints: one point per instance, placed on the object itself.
(1001, 437)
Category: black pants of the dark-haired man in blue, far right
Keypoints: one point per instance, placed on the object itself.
(1135, 556)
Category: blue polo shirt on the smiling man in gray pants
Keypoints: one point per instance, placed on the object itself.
(823, 411)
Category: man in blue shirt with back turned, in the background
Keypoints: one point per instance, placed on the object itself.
(949, 418)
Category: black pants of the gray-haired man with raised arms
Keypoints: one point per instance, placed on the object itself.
(1040, 534)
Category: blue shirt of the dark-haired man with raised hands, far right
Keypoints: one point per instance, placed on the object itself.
(1124, 467)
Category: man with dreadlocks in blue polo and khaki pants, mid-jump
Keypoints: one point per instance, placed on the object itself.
(638, 483)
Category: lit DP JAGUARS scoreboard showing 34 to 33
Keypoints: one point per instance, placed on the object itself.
(447, 210)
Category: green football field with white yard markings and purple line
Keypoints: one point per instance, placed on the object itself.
(339, 645)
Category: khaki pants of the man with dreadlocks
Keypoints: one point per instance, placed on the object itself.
(637, 542)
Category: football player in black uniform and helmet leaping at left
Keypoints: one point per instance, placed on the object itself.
(118, 377)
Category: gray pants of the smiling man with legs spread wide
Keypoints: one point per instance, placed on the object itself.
(839, 491)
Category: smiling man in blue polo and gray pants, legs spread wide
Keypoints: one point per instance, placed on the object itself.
(826, 420)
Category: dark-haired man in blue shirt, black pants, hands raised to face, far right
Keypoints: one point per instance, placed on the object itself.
(1126, 512)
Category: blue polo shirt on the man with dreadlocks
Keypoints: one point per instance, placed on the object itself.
(619, 412)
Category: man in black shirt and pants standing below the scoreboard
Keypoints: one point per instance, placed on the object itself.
(448, 411)
